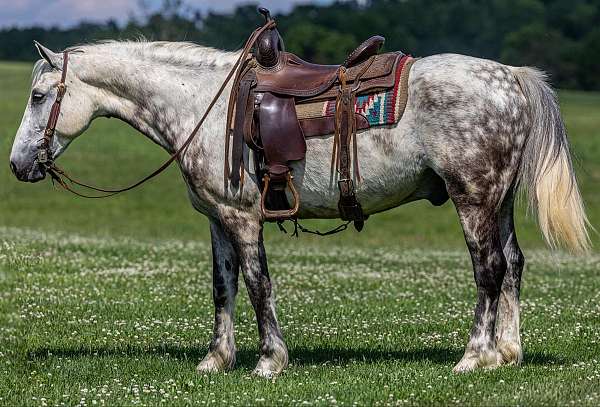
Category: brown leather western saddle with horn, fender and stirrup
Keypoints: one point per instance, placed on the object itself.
(262, 114)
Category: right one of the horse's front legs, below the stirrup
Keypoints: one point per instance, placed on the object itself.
(248, 239)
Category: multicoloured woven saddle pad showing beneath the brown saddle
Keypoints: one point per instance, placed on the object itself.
(383, 107)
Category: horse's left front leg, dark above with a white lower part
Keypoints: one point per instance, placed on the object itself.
(221, 353)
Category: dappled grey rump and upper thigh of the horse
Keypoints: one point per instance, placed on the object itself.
(472, 118)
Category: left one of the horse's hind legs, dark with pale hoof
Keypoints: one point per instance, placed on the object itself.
(482, 233)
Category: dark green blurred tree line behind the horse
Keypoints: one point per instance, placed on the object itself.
(559, 36)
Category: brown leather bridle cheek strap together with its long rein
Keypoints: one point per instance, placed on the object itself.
(45, 155)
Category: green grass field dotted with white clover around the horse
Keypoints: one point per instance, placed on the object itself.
(109, 302)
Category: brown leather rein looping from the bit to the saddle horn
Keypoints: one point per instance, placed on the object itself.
(59, 175)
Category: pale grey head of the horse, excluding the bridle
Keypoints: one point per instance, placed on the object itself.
(77, 111)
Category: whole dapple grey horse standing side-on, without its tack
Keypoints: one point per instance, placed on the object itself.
(474, 131)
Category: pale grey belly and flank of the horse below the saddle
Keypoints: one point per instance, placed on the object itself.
(390, 166)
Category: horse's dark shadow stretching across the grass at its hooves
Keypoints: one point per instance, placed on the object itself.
(299, 356)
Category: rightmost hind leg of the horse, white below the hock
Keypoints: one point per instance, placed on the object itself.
(508, 340)
